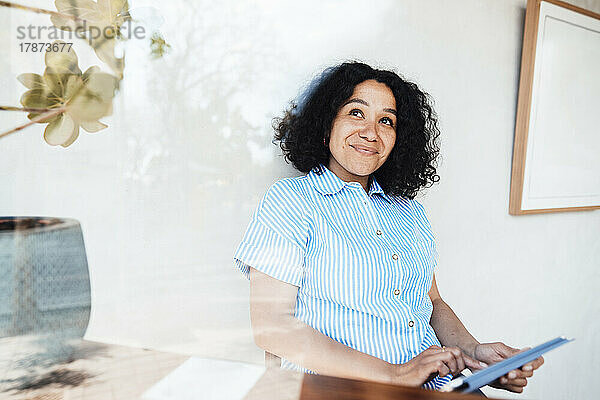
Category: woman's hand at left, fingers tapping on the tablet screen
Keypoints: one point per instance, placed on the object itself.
(431, 362)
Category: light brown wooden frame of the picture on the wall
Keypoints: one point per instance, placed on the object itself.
(524, 108)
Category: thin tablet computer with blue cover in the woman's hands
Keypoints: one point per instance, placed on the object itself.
(495, 371)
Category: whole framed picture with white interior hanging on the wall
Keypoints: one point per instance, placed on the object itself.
(556, 155)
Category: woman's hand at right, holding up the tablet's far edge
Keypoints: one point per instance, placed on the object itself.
(516, 379)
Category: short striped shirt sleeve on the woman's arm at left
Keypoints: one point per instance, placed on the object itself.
(275, 240)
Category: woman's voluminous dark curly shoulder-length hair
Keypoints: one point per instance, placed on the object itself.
(411, 164)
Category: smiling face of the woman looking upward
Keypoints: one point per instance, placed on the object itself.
(363, 132)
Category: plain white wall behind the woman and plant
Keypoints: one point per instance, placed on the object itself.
(165, 193)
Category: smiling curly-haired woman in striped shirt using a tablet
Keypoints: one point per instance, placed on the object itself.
(341, 261)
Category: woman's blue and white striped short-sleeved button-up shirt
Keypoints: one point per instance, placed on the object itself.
(363, 263)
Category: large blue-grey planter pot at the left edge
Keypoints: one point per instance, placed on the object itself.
(44, 278)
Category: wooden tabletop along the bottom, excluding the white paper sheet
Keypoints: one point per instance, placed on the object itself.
(100, 371)
